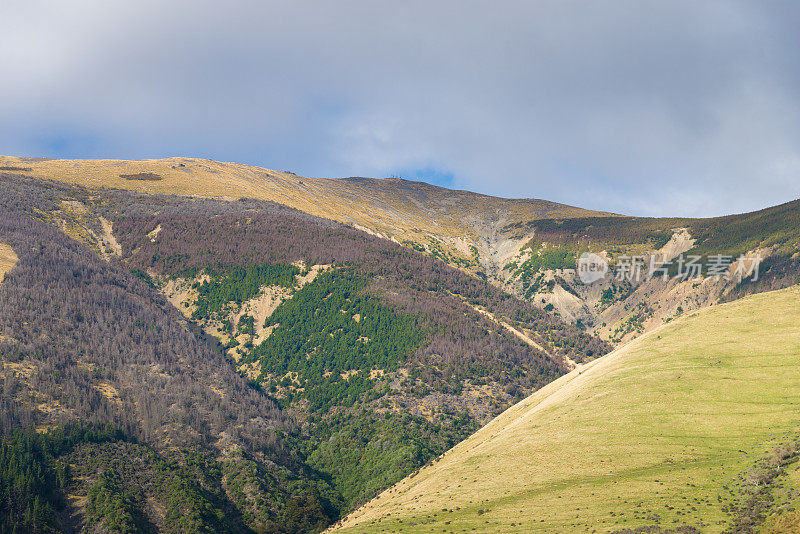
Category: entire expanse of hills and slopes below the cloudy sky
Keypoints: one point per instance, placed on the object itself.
(285, 358)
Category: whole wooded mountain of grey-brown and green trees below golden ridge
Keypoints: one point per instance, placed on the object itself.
(174, 363)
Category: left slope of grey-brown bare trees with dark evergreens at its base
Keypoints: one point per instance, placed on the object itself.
(101, 379)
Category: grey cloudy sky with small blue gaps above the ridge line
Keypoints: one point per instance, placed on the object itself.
(659, 108)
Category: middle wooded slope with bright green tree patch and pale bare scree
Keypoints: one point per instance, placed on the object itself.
(381, 346)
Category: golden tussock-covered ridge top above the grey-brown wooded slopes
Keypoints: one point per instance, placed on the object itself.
(464, 228)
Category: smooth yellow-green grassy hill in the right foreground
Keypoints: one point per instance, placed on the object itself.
(693, 425)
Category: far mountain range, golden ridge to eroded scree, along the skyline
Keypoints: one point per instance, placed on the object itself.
(528, 248)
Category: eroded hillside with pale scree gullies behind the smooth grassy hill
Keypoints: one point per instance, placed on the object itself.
(620, 307)
